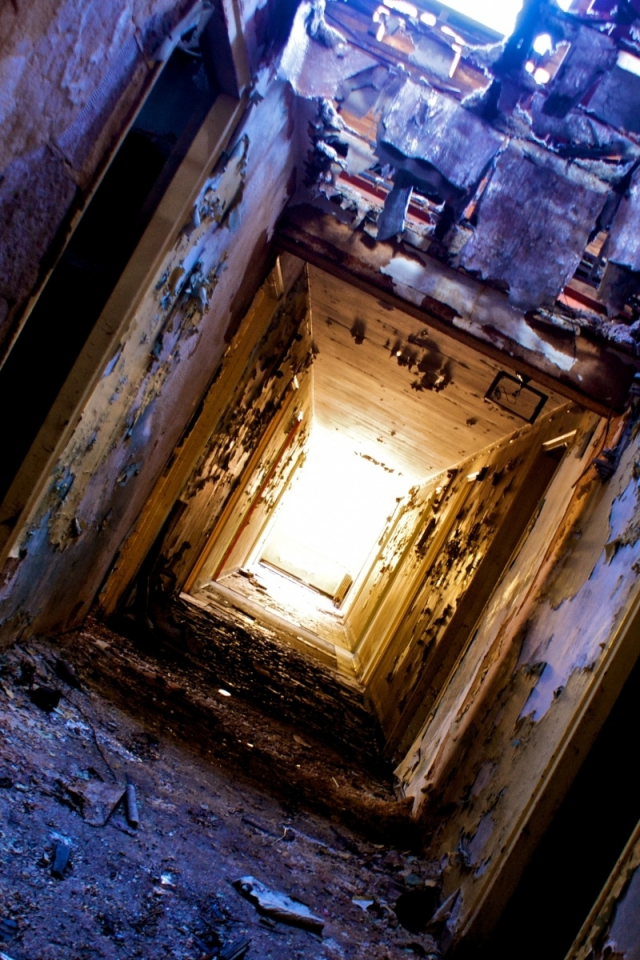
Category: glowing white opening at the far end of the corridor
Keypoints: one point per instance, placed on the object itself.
(302, 568)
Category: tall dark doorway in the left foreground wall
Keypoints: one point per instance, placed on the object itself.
(108, 233)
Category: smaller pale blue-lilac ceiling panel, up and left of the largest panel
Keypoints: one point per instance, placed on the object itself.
(423, 124)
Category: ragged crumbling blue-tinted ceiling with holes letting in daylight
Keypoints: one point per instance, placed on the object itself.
(492, 234)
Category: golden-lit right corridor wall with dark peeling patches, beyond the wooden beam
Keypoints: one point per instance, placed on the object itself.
(444, 568)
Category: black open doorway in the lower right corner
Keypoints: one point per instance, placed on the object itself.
(581, 847)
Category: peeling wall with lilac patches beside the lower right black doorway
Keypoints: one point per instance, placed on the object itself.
(542, 650)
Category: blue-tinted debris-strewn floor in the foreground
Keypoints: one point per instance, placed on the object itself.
(165, 888)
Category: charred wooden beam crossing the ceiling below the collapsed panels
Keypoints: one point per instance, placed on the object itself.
(589, 372)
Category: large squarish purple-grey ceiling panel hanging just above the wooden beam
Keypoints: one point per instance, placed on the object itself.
(534, 220)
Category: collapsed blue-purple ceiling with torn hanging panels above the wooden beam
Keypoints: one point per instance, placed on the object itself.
(508, 170)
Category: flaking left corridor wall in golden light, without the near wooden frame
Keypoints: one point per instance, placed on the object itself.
(260, 417)
